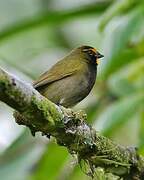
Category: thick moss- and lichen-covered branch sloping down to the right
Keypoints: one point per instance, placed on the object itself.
(70, 130)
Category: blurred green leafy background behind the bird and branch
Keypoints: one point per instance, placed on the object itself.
(34, 34)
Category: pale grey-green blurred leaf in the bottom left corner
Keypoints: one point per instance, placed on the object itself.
(19, 158)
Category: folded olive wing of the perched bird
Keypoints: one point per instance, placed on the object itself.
(59, 71)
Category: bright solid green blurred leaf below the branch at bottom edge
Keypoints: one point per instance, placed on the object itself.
(51, 163)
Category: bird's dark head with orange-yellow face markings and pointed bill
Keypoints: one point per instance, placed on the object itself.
(90, 54)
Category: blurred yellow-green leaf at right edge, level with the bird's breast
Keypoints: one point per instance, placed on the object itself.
(128, 79)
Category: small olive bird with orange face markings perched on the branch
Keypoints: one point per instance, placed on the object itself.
(71, 79)
